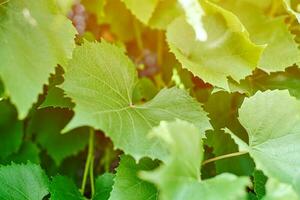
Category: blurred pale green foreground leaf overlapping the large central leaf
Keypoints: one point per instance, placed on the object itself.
(179, 176)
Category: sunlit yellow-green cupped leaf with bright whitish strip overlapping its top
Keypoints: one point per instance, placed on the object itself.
(227, 51)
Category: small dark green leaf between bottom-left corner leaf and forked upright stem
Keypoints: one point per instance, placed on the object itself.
(62, 187)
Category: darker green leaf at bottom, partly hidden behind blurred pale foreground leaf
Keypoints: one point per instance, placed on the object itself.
(128, 184)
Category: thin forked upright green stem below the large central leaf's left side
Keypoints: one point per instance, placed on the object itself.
(89, 164)
